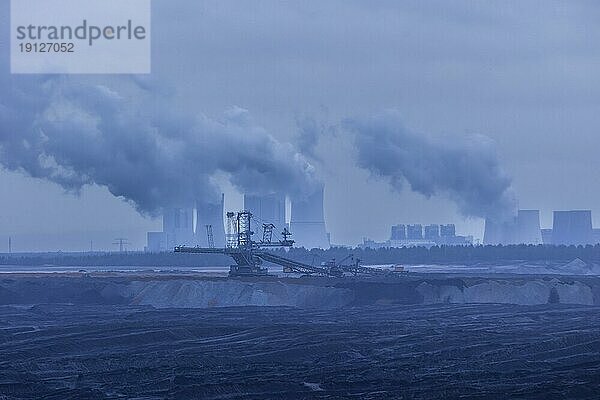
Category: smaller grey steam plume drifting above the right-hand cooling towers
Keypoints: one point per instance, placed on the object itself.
(464, 169)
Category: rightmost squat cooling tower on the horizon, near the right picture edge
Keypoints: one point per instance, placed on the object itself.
(572, 227)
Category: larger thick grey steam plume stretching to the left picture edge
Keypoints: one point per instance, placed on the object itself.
(74, 132)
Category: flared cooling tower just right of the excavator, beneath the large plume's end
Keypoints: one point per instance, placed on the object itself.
(308, 223)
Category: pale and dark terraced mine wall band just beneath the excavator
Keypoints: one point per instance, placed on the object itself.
(203, 292)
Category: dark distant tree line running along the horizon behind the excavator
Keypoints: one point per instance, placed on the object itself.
(406, 255)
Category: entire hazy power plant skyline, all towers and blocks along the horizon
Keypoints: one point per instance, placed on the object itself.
(203, 226)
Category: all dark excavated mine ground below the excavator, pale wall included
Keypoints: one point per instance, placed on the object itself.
(111, 336)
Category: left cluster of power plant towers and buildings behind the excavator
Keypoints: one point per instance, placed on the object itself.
(203, 224)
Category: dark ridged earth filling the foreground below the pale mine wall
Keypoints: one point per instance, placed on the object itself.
(372, 352)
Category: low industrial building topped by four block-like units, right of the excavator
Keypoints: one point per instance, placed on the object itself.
(419, 235)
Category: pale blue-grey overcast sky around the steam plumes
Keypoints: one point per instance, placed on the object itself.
(523, 73)
